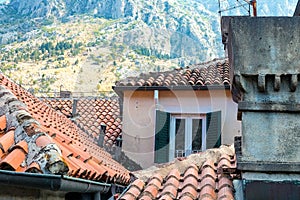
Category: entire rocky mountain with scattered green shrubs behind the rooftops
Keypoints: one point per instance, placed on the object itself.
(86, 45)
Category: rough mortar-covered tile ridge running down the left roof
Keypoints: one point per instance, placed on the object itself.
(28, 129)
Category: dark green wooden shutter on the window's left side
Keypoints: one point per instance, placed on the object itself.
(162, 137)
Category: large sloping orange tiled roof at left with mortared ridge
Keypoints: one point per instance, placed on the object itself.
(36, 138)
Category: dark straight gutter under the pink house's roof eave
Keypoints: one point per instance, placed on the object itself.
(119, 89)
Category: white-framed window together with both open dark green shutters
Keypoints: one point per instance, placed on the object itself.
(182, 134)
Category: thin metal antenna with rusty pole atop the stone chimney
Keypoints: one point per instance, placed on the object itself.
(246, 4)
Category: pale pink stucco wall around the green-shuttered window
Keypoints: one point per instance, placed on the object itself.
(139, 117)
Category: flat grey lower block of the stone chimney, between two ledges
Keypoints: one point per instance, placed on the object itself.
(272, 137)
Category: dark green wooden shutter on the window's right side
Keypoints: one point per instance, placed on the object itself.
(213, 129)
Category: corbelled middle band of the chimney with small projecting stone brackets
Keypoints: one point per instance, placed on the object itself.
(270, 93)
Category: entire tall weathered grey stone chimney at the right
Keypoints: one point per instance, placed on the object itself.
(264, 53)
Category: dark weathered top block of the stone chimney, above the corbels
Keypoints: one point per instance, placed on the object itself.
(264, 45)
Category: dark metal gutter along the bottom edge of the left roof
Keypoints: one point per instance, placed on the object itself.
(52, 182)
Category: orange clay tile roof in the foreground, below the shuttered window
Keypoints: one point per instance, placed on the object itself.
(189, 181)
